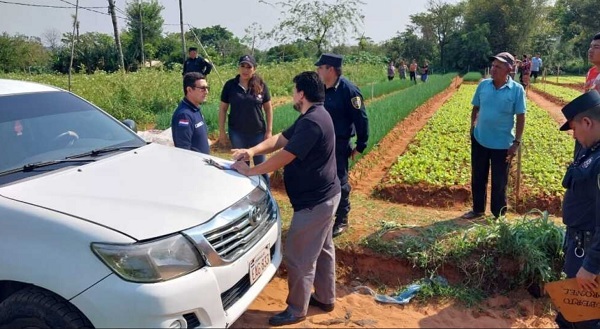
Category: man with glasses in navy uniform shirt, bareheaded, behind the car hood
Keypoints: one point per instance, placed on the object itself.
(187, 124)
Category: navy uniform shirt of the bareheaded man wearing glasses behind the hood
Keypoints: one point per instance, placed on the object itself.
(189, 129)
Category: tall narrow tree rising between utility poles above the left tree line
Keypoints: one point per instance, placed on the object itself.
(144, 18)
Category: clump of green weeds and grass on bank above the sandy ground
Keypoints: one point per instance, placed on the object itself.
(497, 255)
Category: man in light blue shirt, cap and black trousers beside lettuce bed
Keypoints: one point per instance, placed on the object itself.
(495, 104)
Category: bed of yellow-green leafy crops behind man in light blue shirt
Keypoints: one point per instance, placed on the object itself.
(439, 157)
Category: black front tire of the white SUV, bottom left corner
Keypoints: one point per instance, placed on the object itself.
(37, 308)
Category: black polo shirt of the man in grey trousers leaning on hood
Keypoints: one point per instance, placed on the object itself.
(311, 178)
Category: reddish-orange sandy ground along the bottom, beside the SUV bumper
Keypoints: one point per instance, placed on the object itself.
(354, 310)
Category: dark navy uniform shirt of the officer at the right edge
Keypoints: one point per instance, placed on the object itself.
(581, 204)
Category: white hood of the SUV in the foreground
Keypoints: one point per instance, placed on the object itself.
(148, 192)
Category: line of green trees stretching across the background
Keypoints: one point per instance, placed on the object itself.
(450, 36)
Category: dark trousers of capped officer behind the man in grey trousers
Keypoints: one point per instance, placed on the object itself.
(342, 152)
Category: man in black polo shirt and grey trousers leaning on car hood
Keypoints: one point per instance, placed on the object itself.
(308, 158)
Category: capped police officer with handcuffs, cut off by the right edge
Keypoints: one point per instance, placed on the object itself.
(581, 204)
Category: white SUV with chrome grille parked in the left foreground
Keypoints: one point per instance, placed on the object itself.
(100, 229)
